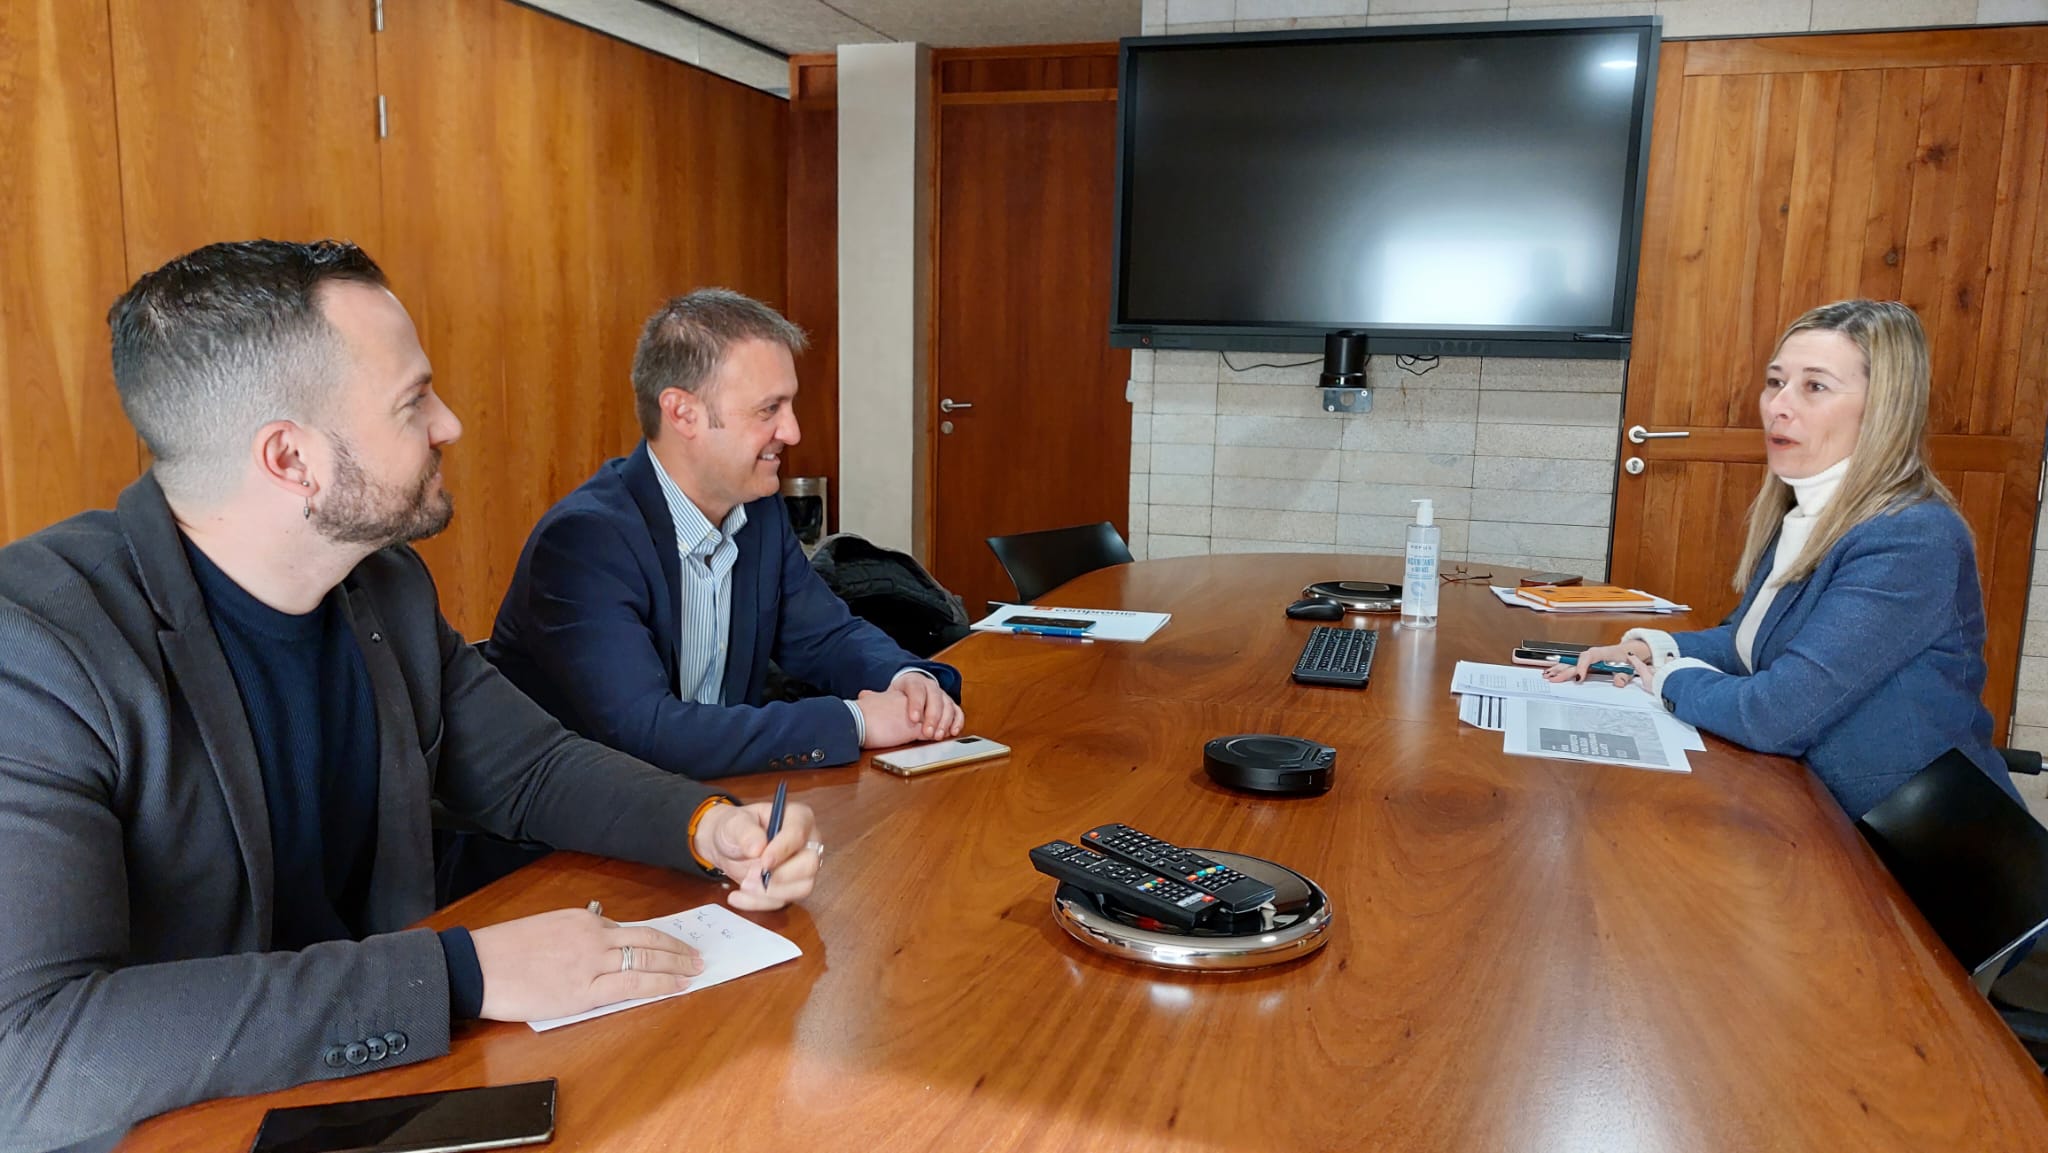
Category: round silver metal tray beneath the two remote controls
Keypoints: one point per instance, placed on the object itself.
(1295, 925)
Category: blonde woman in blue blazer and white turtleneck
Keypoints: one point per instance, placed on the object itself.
(1861, 640)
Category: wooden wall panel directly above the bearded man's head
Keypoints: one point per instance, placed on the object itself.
(247, 120)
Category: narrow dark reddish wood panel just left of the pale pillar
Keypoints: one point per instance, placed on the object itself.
(814, 265)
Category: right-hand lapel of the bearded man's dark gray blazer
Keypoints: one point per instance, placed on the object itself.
(404, 835)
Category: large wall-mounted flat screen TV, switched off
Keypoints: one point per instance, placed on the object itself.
(1443, 189)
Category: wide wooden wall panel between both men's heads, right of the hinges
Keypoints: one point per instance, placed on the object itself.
(546, 189)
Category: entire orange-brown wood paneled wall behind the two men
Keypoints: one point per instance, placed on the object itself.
(542, 191)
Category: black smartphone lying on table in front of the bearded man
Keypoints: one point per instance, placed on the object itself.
(493, 1117)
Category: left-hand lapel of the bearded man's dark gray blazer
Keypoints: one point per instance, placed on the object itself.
(200, 675)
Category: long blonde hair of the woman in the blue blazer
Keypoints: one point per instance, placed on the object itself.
(1889, 464)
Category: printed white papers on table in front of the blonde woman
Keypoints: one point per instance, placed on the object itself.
(1594, 722)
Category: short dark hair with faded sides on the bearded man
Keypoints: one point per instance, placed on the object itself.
(220, 343)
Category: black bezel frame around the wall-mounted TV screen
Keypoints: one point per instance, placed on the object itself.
(1426, 341)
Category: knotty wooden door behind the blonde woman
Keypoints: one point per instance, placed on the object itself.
(1799, 171)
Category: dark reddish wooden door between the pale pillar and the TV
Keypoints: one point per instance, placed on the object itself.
(1025, 234)
